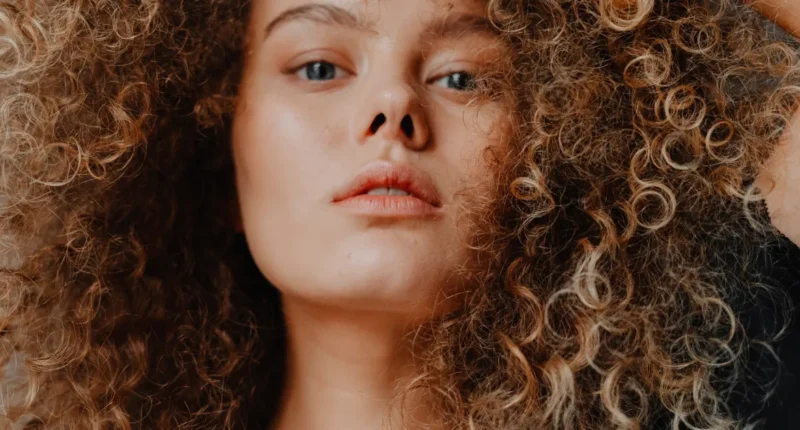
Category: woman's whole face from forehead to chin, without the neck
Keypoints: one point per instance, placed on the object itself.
(339, 88)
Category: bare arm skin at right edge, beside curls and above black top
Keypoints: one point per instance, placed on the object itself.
(779, 179)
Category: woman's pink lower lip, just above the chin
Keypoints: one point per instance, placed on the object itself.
(389, 206)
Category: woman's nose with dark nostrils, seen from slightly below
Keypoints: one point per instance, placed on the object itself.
(396, 113)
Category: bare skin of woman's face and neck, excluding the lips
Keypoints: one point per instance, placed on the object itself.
(353, 286)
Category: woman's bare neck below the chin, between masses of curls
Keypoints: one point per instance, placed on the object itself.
(343, 368)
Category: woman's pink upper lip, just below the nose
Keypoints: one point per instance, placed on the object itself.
(387, 174)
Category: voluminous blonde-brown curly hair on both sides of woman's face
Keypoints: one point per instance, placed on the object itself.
(617, 247)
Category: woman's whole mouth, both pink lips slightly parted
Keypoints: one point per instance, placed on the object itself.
(384, 188)
